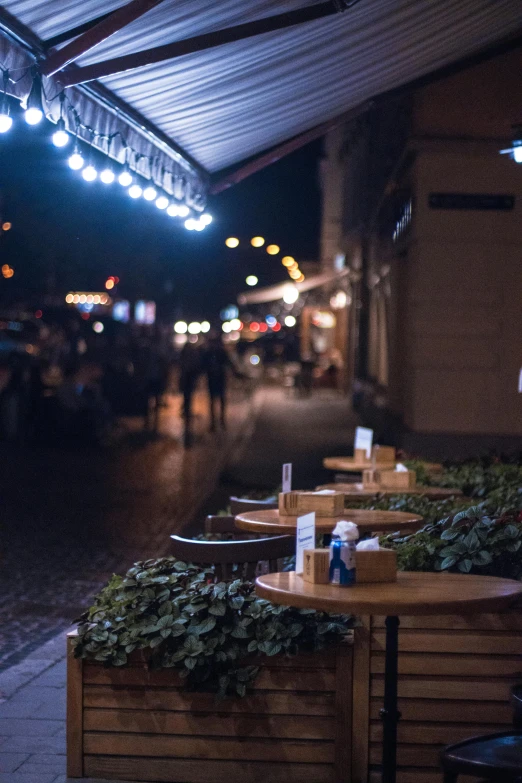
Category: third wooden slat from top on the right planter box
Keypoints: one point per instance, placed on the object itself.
(453, 665)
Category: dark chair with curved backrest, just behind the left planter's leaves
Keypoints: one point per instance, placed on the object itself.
(234, 558)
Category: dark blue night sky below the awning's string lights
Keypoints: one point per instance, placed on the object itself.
(68, 234)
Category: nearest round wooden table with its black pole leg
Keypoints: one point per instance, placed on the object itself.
(413, 594)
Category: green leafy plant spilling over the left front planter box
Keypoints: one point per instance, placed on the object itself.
(211, 633)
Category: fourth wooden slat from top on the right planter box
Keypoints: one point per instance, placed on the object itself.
(446, 688)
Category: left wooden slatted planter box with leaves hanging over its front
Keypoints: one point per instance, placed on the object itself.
(132, 724)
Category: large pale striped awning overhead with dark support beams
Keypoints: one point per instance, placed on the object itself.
(212, 108)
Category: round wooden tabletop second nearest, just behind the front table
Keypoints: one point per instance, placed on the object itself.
(269, 521)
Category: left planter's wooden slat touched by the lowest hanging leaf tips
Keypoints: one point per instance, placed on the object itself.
(269, 702)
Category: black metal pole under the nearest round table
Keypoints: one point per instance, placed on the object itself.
(389, 714)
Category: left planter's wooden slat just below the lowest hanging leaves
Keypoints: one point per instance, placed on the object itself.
(157, 722)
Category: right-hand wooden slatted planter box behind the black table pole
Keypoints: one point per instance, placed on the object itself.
(455, 675)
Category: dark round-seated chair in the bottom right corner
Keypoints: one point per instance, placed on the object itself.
(491, 757)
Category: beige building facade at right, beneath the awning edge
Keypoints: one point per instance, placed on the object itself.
(428, 216)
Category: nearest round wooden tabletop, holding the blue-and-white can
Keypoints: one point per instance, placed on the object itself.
(414, 593)
